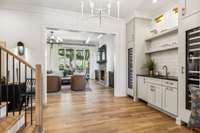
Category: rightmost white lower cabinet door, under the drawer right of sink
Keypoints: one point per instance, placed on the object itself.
(170, 100)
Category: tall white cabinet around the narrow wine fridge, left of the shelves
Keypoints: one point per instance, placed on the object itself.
(135, 39)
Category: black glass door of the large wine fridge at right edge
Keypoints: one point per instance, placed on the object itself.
(192, 62)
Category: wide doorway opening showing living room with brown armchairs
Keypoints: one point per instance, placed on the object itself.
(76, 58)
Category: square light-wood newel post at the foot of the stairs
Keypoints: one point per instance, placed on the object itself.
(38, 100)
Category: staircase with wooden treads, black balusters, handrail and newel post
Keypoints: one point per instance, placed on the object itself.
(20, 90)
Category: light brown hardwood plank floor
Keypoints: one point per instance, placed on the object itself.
(97, 111)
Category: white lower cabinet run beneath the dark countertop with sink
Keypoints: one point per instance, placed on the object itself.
(162, 94)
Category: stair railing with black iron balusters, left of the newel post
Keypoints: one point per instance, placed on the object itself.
(13, 92)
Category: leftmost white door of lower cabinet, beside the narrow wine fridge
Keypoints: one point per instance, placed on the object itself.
(141, 88)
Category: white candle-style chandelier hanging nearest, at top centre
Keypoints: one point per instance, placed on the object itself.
(101, 12)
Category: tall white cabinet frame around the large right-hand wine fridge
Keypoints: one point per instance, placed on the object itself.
(185, 24)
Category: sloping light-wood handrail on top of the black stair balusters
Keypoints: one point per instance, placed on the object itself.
(17, 57)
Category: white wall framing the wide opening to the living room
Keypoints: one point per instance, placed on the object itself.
(28, 24)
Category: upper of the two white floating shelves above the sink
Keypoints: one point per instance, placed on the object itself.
(173, 30)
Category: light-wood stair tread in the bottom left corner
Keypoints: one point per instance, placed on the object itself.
(9, 121)
